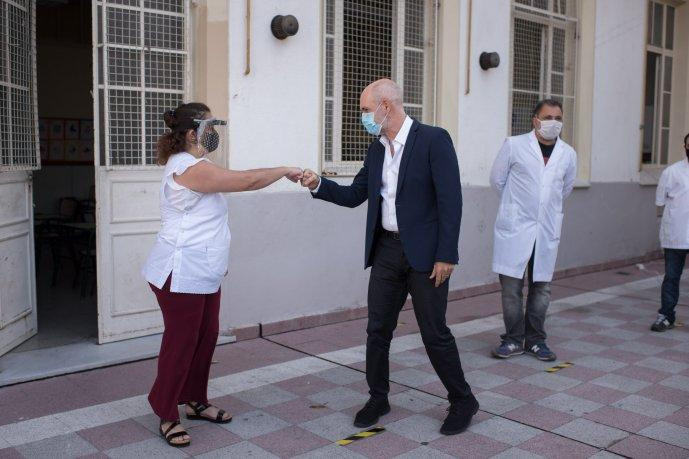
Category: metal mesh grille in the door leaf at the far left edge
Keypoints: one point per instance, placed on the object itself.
(19, 149)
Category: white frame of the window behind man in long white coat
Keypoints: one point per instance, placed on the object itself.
(547, 18)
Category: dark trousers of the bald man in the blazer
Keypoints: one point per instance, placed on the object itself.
(391, 280)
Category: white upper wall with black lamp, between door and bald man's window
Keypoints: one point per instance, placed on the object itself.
(275, 110)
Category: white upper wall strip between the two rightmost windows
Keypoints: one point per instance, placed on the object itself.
(618, 90)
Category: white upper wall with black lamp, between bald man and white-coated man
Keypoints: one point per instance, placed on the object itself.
(483, 113)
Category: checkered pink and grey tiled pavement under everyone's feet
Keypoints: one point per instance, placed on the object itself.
(626, 394)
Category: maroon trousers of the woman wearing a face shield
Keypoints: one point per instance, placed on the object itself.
(191, 332)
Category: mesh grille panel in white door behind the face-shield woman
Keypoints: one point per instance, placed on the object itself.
(143, 70)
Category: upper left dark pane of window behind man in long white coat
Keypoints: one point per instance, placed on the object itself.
(528, 41)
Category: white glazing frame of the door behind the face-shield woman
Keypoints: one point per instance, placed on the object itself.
(102, 144)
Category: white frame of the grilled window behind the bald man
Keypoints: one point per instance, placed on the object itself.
(337, 167)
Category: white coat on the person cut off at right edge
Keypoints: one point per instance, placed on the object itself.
(673, 193)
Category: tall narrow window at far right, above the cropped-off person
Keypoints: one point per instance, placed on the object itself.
(659, 58)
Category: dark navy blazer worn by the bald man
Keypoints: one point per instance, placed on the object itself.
(429, 196)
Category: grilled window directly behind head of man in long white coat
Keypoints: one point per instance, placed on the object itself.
(544, 43)
